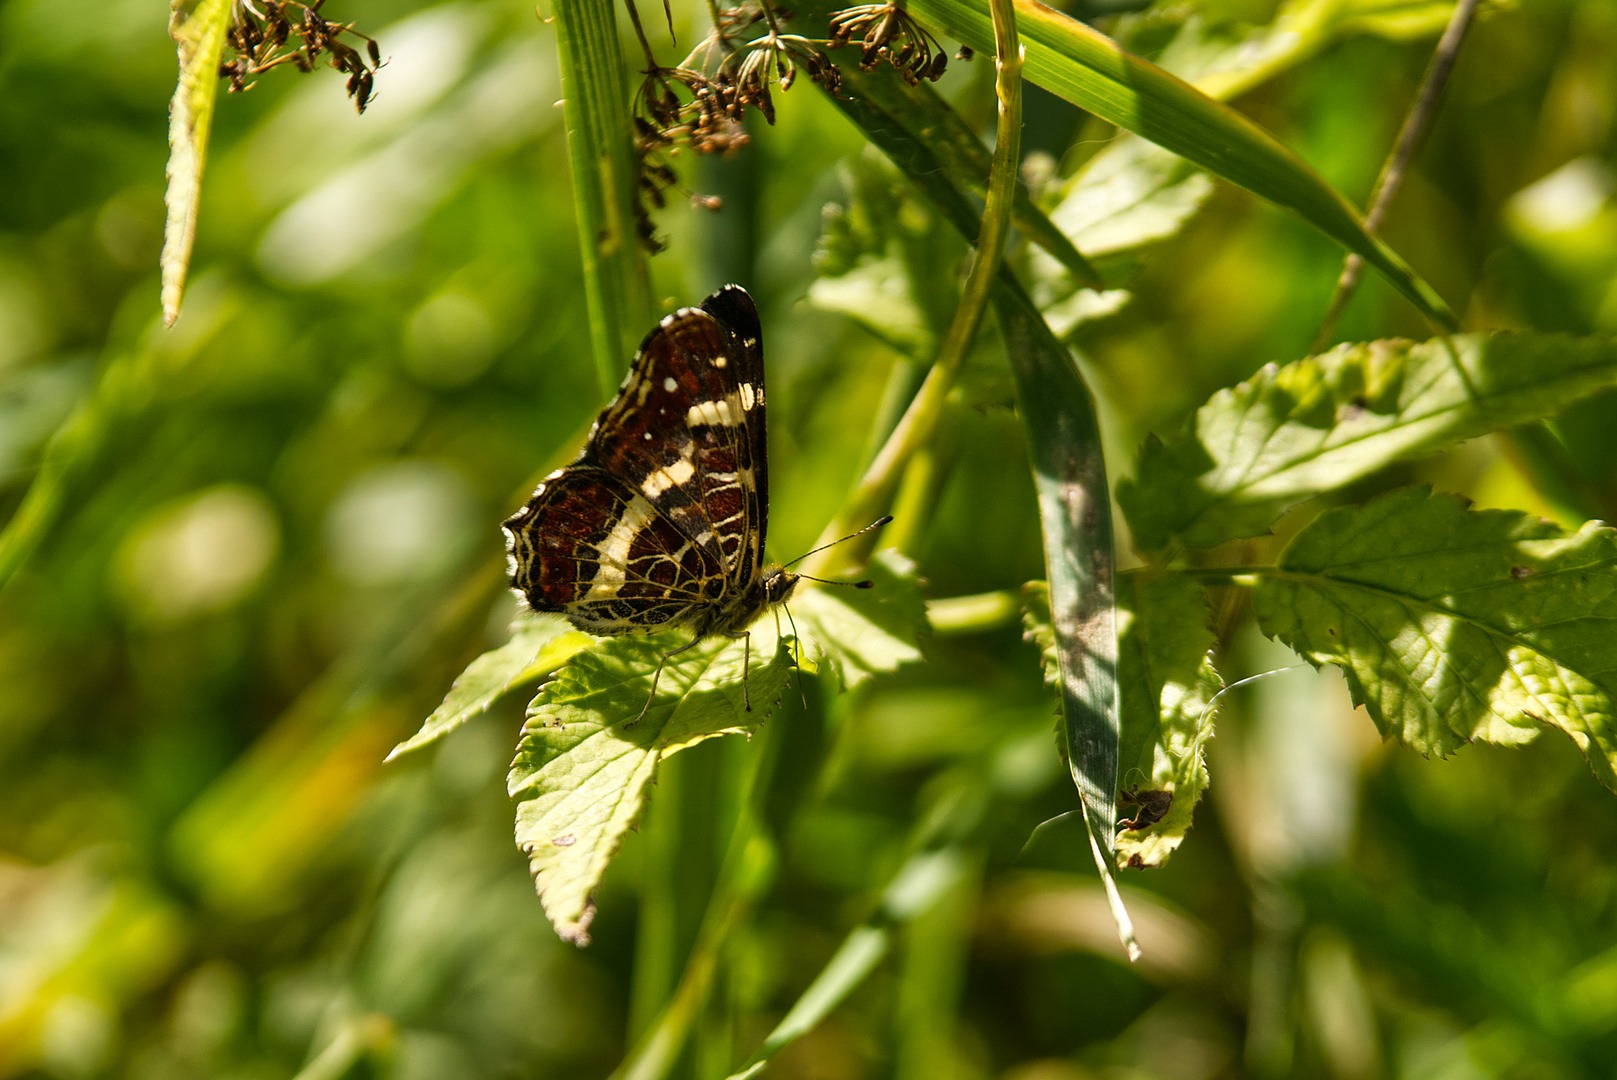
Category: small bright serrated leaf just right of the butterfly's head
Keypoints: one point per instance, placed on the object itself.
(859, 633)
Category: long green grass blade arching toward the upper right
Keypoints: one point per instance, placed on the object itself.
(1092, 72)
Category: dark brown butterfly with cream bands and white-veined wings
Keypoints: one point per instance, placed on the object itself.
(661, 521)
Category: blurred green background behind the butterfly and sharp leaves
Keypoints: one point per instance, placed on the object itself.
(274, 542)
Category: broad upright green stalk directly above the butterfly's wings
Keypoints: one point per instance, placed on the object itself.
(601, 145)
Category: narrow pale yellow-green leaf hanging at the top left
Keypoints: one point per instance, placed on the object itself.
(198, 28)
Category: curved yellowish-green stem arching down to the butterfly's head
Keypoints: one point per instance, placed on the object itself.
(876, 491)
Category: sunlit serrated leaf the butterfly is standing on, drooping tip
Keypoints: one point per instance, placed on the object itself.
(588, 754)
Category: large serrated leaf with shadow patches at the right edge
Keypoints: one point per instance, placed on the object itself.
(1456, 625)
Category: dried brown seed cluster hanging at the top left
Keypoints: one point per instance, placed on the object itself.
(260, 35)
